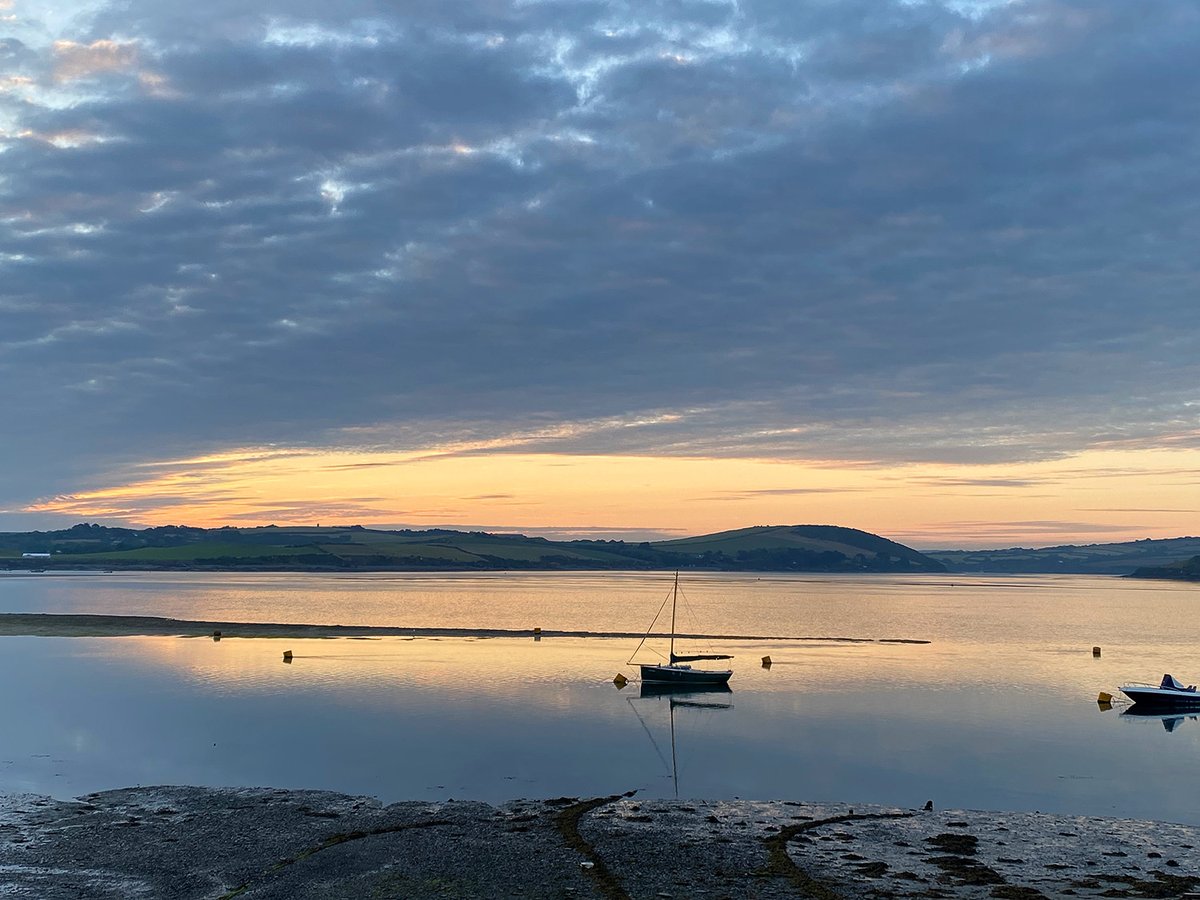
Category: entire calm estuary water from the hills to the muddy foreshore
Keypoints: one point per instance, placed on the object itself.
(999, 712)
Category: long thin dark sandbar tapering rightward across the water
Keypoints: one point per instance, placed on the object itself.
(44, 625)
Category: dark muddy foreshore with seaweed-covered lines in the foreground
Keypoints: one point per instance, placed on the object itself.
(197, 843)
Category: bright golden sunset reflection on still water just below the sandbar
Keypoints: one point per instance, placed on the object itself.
(915, 674)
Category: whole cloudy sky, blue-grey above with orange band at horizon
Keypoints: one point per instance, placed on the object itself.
(602, 268)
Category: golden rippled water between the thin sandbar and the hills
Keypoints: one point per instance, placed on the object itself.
(998, 614)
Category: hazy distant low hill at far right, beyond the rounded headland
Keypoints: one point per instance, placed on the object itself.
(1088, 560)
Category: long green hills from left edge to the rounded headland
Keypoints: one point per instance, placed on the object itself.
(827, 549)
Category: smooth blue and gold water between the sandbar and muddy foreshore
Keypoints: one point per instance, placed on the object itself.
(500, 718)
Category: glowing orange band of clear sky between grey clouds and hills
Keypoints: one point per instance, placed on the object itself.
(1099, 496)
